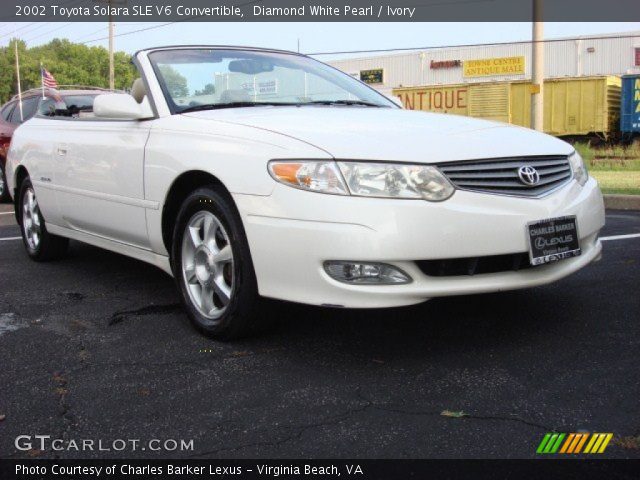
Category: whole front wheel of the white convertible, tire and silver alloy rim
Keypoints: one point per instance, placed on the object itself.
(212, 266)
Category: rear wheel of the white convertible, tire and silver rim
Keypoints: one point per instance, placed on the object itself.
(41, 246)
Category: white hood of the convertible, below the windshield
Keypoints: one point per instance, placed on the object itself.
(366, 133)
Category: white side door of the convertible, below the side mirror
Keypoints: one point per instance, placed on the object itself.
(99, 178)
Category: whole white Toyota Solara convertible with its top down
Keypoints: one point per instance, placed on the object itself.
(249, 173)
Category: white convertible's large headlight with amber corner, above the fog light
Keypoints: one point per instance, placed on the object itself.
(364, 179)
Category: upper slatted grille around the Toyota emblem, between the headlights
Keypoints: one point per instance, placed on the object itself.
(500, 176)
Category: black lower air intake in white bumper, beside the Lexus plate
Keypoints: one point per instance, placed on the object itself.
(455, 267)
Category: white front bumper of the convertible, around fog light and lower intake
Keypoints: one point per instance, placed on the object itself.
(292, 232)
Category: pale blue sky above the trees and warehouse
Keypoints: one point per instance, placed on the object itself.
(314, 37)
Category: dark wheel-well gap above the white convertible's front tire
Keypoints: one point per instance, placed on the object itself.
(181, 187)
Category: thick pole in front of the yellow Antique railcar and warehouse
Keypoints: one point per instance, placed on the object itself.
(537, 69)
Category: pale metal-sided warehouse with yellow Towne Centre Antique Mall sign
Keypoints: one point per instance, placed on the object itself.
(575, 57)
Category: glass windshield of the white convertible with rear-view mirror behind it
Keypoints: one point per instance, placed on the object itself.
(195, 79)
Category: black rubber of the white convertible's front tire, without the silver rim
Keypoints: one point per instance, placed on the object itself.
(237, 318)
